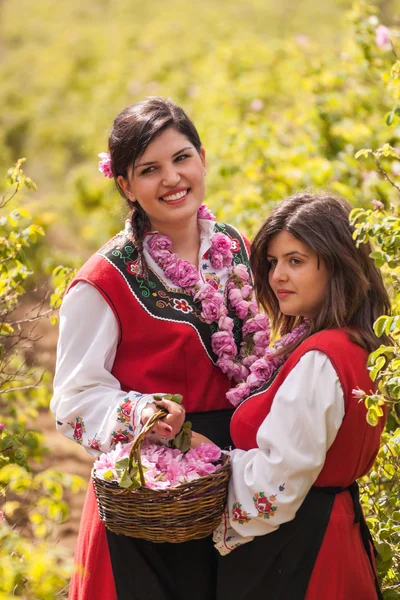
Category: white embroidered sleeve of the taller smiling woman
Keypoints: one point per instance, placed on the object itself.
(88, 403)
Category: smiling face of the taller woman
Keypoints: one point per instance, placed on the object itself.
(167, 180)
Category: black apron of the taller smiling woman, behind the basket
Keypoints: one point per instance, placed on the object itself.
(148, 571)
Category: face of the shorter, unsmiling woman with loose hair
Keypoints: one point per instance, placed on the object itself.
(297, 277)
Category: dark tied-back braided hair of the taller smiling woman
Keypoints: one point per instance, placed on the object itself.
(133, 130)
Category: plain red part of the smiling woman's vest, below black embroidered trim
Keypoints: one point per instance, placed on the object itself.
(174, 364)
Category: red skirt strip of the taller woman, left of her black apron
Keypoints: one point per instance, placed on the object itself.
(92, 578)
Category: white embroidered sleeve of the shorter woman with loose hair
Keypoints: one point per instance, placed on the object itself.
(270, 482)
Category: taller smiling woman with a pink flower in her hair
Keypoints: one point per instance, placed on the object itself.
(149, 314)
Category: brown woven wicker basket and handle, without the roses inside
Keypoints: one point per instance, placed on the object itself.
(190, 511)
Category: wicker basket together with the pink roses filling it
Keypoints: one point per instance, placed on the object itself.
(161, 493)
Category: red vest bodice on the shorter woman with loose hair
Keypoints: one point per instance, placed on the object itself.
(355, 447)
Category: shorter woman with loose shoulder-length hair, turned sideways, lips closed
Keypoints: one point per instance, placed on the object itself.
(294, 528)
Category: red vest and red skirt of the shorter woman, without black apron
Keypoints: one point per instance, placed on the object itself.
(342, 569)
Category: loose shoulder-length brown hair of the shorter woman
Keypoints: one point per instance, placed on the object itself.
(356, 295)
